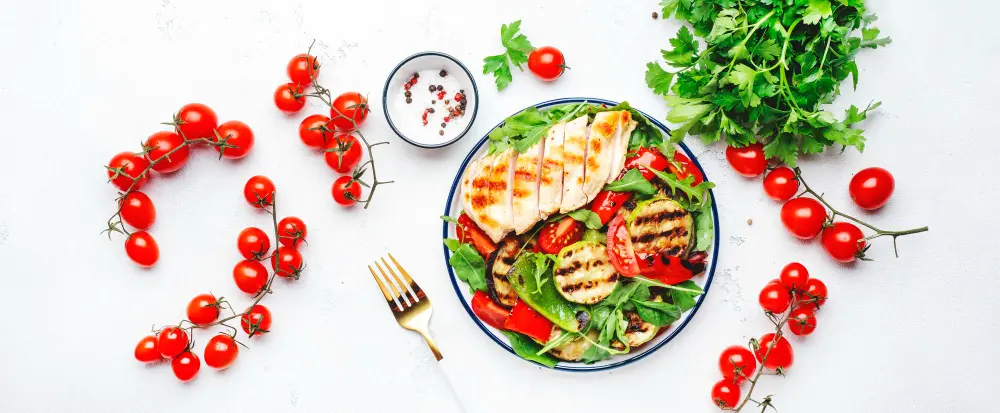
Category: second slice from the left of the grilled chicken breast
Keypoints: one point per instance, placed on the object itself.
(524, 195)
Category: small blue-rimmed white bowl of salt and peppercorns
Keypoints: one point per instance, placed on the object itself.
(405, 119)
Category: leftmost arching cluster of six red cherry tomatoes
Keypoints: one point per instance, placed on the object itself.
(166, 152)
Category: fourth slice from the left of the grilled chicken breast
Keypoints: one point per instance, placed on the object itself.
(574, 165)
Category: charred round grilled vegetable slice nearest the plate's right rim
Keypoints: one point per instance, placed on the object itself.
(661, 226)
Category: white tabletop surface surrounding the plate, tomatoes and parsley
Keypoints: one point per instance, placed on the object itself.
(81, 81)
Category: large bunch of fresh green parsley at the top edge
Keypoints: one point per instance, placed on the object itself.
(766, 68)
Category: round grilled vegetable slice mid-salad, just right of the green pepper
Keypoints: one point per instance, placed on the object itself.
(584, 274)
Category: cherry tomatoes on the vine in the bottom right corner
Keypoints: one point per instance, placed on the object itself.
(793, 292)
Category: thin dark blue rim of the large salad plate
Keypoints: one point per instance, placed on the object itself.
(580, 367)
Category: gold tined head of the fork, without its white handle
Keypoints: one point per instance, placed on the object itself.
(408, 303)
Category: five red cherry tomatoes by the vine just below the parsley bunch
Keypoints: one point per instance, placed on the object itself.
(806, 217)
